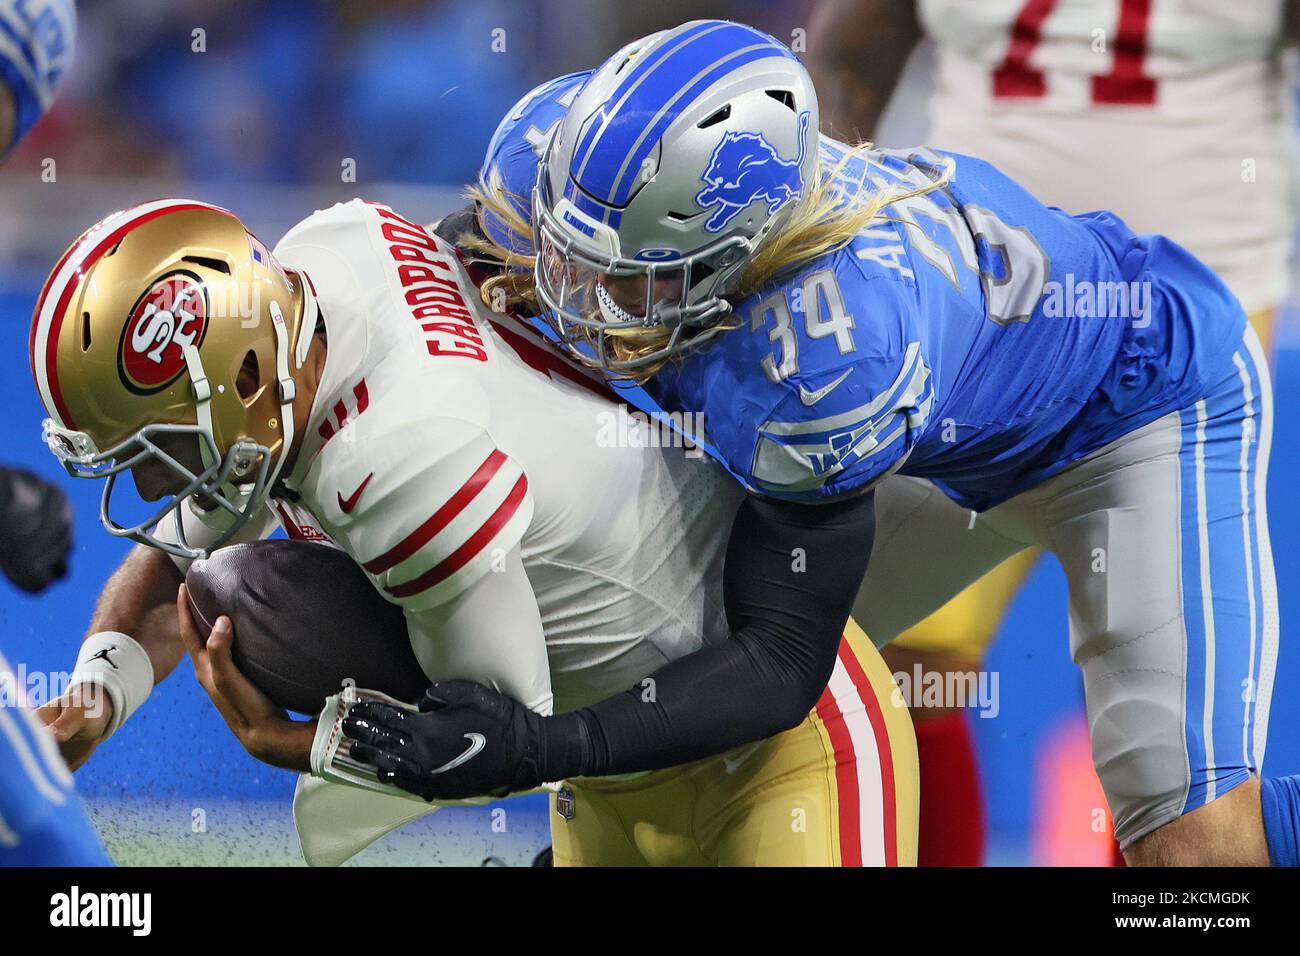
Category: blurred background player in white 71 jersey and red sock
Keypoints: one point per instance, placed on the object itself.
(1173, 114)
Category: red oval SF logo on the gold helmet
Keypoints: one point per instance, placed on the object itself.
(172, 315)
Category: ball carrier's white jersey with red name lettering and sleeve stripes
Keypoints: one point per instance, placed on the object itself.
(441, 439)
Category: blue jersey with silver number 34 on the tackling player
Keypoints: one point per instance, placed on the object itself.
(970, 336)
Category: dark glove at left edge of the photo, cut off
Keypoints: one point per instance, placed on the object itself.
(36, 530)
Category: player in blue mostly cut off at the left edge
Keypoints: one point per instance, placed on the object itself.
(41, 821)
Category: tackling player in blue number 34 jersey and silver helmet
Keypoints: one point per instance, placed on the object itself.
(911, 362)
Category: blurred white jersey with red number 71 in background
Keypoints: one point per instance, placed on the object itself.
(1172, 114)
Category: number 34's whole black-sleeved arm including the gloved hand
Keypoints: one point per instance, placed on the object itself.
(791, 577)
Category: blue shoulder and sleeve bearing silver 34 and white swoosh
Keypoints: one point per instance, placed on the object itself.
(824, 390)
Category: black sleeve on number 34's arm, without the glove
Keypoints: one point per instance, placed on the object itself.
(790, 579)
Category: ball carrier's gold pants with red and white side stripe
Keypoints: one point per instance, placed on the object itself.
(839, 790)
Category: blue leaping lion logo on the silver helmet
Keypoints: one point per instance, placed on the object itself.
(747, 168)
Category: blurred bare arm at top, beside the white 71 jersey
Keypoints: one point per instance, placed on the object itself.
(857, 51)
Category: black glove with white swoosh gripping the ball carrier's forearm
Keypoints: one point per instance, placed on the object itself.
(467, 741)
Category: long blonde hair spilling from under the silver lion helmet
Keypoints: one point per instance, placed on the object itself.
(837, 209)
